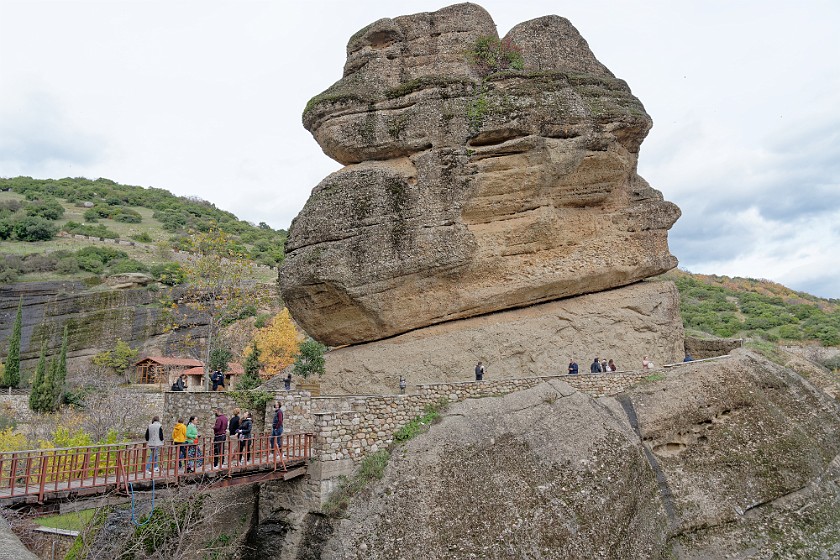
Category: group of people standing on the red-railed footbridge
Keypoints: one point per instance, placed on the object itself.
(186, 436)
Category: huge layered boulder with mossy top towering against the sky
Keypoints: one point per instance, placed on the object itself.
(469, 188)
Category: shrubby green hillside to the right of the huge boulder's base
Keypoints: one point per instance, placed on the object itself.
(744, 307)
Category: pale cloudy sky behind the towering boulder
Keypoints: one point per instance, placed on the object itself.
(204, 98)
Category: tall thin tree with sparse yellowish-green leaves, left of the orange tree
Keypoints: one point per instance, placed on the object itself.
(215, 271)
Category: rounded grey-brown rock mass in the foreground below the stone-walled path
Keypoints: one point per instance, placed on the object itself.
(736, 459)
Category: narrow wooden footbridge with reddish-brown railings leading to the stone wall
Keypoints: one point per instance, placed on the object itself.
(42, 475)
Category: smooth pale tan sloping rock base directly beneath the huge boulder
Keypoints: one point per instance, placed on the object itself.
(624, 324)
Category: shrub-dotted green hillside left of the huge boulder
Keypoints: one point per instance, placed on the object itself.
(73, 228)
